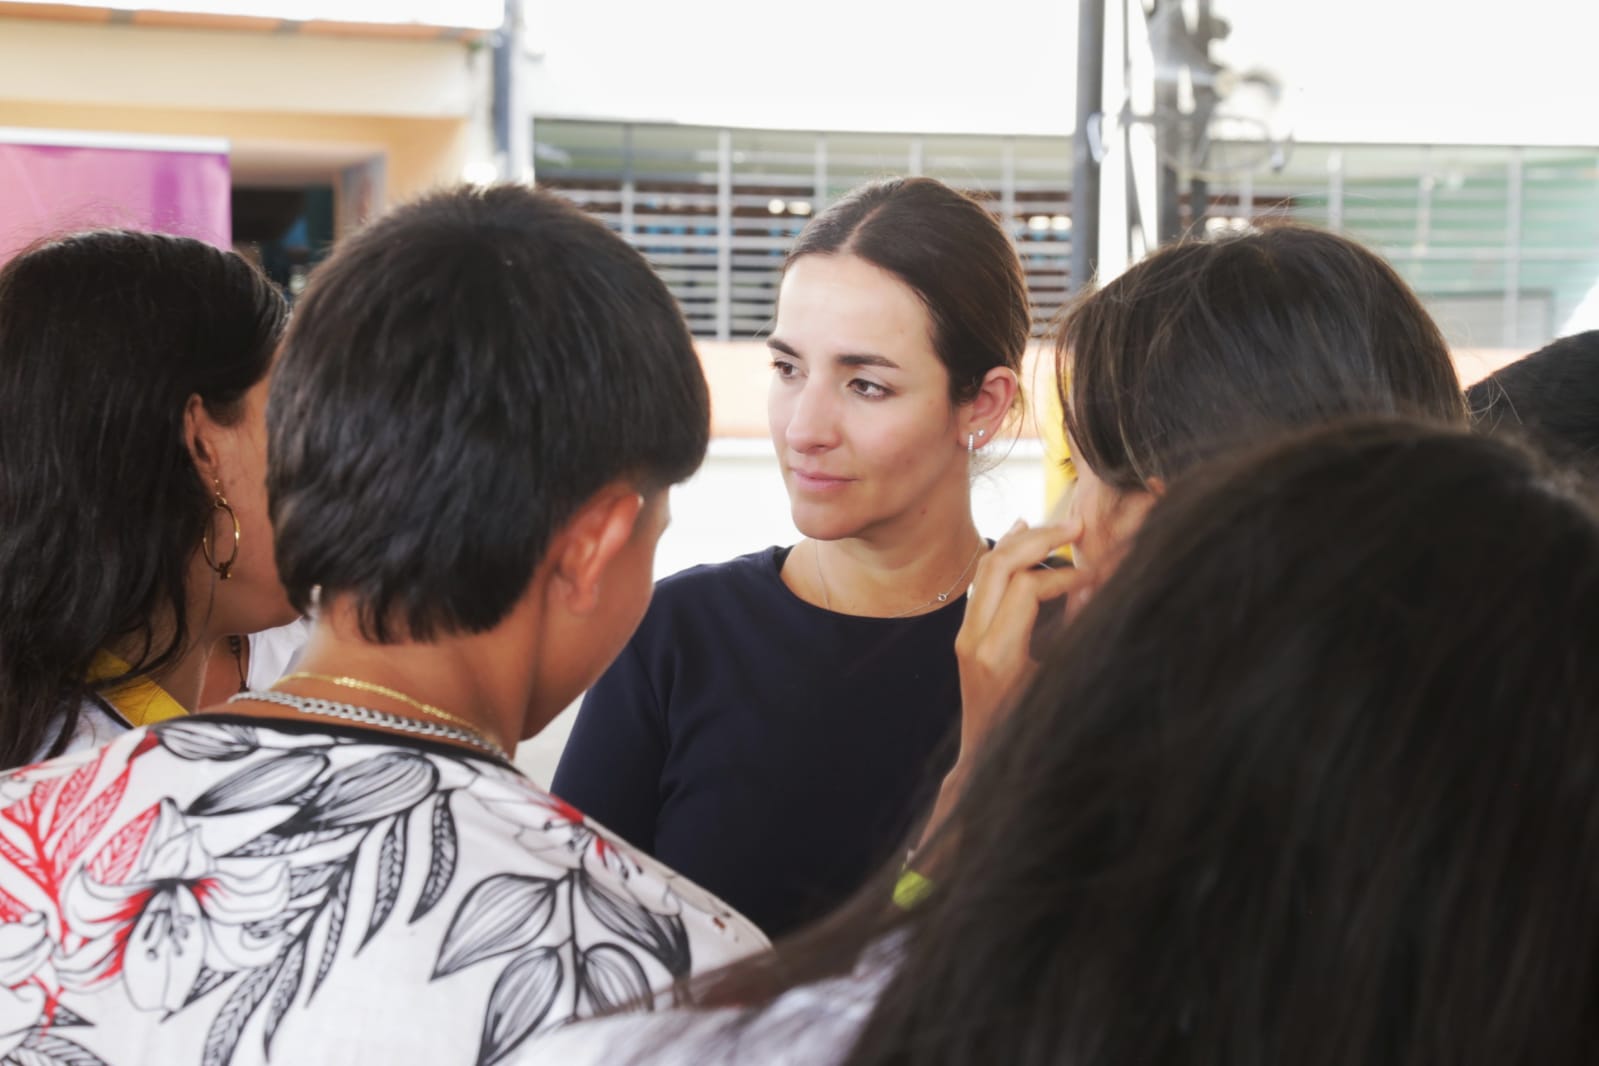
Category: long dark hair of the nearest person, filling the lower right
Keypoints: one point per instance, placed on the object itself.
(1312, 782)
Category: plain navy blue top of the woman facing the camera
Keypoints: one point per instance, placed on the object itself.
(770, 750)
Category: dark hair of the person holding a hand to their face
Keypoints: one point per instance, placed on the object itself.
(1227, 343)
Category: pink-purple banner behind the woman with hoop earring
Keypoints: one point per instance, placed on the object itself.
(55, 188)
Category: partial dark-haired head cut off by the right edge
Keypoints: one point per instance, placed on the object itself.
(1552, 399)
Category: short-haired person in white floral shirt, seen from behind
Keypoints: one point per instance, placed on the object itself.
(474, 426)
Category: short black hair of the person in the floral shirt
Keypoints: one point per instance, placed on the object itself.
(460, 380)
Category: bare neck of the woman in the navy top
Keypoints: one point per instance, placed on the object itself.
(887, 576)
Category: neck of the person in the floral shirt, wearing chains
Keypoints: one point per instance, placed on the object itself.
(458, 675)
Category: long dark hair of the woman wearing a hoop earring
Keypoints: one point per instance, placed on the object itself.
(103, 340)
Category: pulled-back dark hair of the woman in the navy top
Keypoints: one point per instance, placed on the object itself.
(952, 253)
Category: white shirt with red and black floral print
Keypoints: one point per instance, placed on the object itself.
(245, 891)
